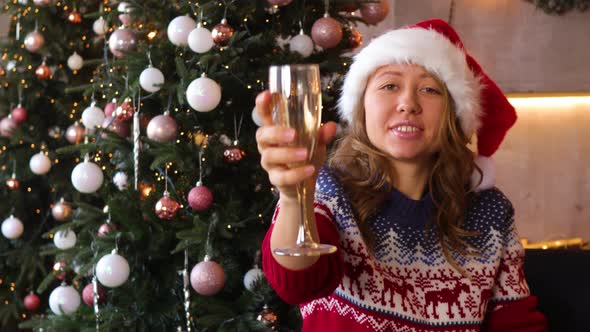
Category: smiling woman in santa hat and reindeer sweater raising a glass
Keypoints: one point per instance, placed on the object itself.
(426, 243)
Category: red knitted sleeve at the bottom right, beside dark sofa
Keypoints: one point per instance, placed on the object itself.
(519, 316)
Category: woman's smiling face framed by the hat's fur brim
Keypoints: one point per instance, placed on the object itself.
(404, 108)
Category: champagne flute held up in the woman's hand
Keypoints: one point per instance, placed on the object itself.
(297, 103)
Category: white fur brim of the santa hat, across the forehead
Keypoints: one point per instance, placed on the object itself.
(425, 47)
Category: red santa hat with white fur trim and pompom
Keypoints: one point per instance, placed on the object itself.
(479, 103)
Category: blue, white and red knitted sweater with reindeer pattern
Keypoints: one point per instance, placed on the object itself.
(408, 285)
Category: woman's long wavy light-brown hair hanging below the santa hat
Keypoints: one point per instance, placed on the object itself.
(367, 178)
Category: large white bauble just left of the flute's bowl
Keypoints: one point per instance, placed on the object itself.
(203, 94)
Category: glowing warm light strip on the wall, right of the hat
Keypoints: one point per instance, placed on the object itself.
(541, 100)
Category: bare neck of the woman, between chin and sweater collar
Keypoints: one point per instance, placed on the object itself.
(411, 178)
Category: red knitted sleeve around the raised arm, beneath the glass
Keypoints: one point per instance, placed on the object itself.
(316, 281)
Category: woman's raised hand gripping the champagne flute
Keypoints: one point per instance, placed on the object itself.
(276, 151)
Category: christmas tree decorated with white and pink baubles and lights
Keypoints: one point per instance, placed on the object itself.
(134, 199)
